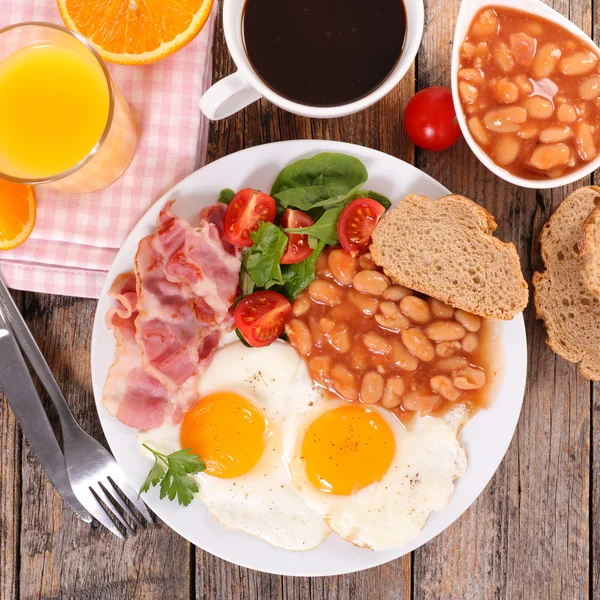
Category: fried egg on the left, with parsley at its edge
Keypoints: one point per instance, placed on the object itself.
(237, 429)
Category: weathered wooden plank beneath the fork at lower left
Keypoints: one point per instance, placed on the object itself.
(62, 557)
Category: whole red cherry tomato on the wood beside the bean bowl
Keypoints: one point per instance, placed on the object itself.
(430, 120)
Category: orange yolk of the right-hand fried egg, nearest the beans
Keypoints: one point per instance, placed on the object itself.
(347, 448)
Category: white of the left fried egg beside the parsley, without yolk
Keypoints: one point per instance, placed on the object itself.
(262, 502)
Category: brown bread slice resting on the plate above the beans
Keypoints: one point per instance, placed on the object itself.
(445, 249)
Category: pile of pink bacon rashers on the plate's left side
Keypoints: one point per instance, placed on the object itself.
(169, 318)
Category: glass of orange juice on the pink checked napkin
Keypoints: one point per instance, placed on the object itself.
(63, 121)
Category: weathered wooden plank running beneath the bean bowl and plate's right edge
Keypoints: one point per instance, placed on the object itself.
(527, 535)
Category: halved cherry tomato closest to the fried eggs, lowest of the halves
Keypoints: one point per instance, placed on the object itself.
(261, 317)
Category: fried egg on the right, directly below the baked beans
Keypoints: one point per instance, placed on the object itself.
(374, 481)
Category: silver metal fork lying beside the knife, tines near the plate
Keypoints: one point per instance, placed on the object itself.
(92, 471)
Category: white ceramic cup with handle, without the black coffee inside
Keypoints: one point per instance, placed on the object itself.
(243, 87)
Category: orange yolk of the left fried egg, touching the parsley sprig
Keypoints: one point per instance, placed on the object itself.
(227, 431)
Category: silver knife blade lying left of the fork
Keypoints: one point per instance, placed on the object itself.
(22, 397)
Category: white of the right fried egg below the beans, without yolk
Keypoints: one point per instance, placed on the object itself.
(392, 512)
